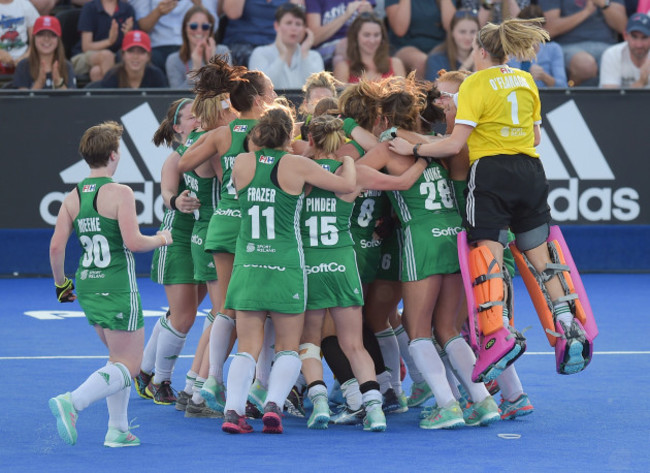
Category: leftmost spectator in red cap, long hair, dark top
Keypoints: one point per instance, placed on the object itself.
(46, 66)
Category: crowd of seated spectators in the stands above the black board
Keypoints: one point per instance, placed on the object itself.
(60, 44)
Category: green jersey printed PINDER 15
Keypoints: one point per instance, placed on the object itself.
(325, 220)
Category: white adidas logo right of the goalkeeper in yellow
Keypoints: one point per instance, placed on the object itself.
(595, 204)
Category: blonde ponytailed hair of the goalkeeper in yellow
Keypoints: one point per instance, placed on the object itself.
(514, 37)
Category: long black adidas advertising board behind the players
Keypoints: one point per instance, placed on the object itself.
(593, 149)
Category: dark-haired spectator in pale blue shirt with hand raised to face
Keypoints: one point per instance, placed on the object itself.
(289, 61)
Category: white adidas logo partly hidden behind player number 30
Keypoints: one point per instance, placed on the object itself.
(140, 123)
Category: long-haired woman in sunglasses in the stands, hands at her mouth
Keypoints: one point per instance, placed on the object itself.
(197, 48)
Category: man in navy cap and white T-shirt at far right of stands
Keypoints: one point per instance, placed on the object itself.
(627, 64)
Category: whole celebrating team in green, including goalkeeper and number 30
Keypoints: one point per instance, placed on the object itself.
(306, 236)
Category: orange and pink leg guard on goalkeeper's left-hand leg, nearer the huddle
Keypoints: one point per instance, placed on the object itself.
(496, 346)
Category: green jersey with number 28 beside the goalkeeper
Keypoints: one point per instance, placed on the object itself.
(431, 194)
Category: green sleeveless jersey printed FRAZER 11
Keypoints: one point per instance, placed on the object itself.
(270, 219)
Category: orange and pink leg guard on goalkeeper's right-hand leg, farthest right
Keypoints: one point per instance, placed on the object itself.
(573, 345)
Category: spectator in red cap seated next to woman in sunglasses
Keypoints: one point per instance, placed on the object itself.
(135, 70)
